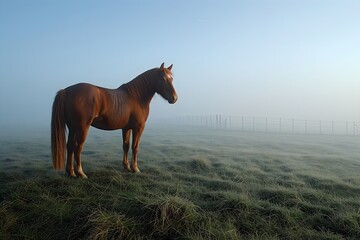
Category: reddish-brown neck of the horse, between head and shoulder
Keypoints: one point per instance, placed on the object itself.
(142, 87)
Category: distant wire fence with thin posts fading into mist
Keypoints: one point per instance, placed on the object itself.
(268, 124)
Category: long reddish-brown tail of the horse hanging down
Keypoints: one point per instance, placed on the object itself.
(58, 137)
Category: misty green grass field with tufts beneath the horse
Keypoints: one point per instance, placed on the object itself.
(194, 184)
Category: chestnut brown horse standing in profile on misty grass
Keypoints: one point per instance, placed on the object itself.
(127, 107)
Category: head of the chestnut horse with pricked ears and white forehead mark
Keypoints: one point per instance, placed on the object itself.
(165, 87)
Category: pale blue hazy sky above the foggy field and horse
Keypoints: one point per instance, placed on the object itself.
(294, 59)
